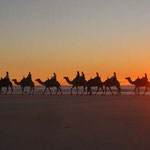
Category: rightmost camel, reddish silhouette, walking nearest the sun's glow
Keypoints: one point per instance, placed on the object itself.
(139, 83)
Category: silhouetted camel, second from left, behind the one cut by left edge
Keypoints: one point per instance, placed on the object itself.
(25, 83)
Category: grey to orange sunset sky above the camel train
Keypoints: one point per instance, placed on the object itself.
(64, 36)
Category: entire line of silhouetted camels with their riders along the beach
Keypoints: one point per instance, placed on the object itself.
(78, 81)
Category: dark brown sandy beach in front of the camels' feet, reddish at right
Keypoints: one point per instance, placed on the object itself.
(74, 122)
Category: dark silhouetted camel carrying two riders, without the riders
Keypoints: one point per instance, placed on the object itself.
(76, 84)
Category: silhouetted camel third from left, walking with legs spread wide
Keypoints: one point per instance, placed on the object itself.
(50, 83)
